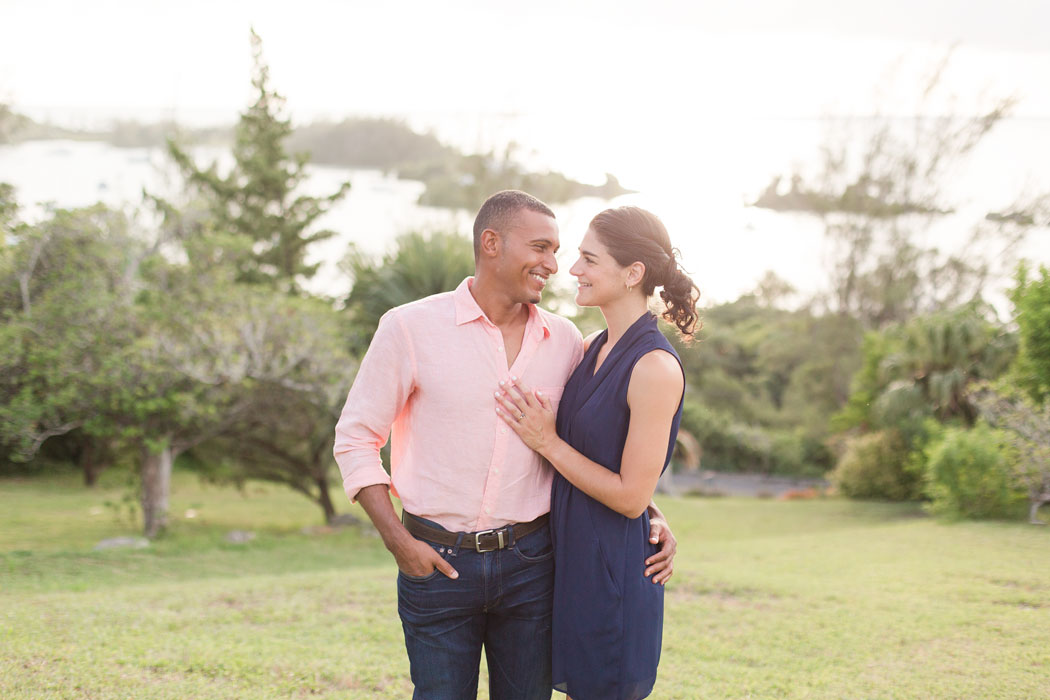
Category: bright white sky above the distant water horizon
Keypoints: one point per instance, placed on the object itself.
(89, 62)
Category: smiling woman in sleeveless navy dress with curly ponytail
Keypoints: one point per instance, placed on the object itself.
(613, 439)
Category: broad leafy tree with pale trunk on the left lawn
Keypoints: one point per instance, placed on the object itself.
(110, 344)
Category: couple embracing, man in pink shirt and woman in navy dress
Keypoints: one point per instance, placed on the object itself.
(557, 574)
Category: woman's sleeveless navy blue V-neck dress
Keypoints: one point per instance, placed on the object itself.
(608, 618)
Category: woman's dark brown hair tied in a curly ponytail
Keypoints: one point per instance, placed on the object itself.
(636, 236)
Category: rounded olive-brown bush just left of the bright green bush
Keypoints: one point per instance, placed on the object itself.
(876, 466)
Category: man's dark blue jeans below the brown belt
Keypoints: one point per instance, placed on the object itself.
(502, 602)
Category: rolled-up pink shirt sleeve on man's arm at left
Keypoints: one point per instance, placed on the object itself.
(385, 381)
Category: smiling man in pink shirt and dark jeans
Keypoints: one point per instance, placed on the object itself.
(473, 547)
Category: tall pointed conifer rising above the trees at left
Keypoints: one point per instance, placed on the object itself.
(258, 200)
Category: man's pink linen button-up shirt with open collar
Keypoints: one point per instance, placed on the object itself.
(429, 381)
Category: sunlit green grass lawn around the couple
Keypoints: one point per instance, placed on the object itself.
(770, 600)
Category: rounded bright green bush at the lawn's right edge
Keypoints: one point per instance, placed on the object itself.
(969, 475)
